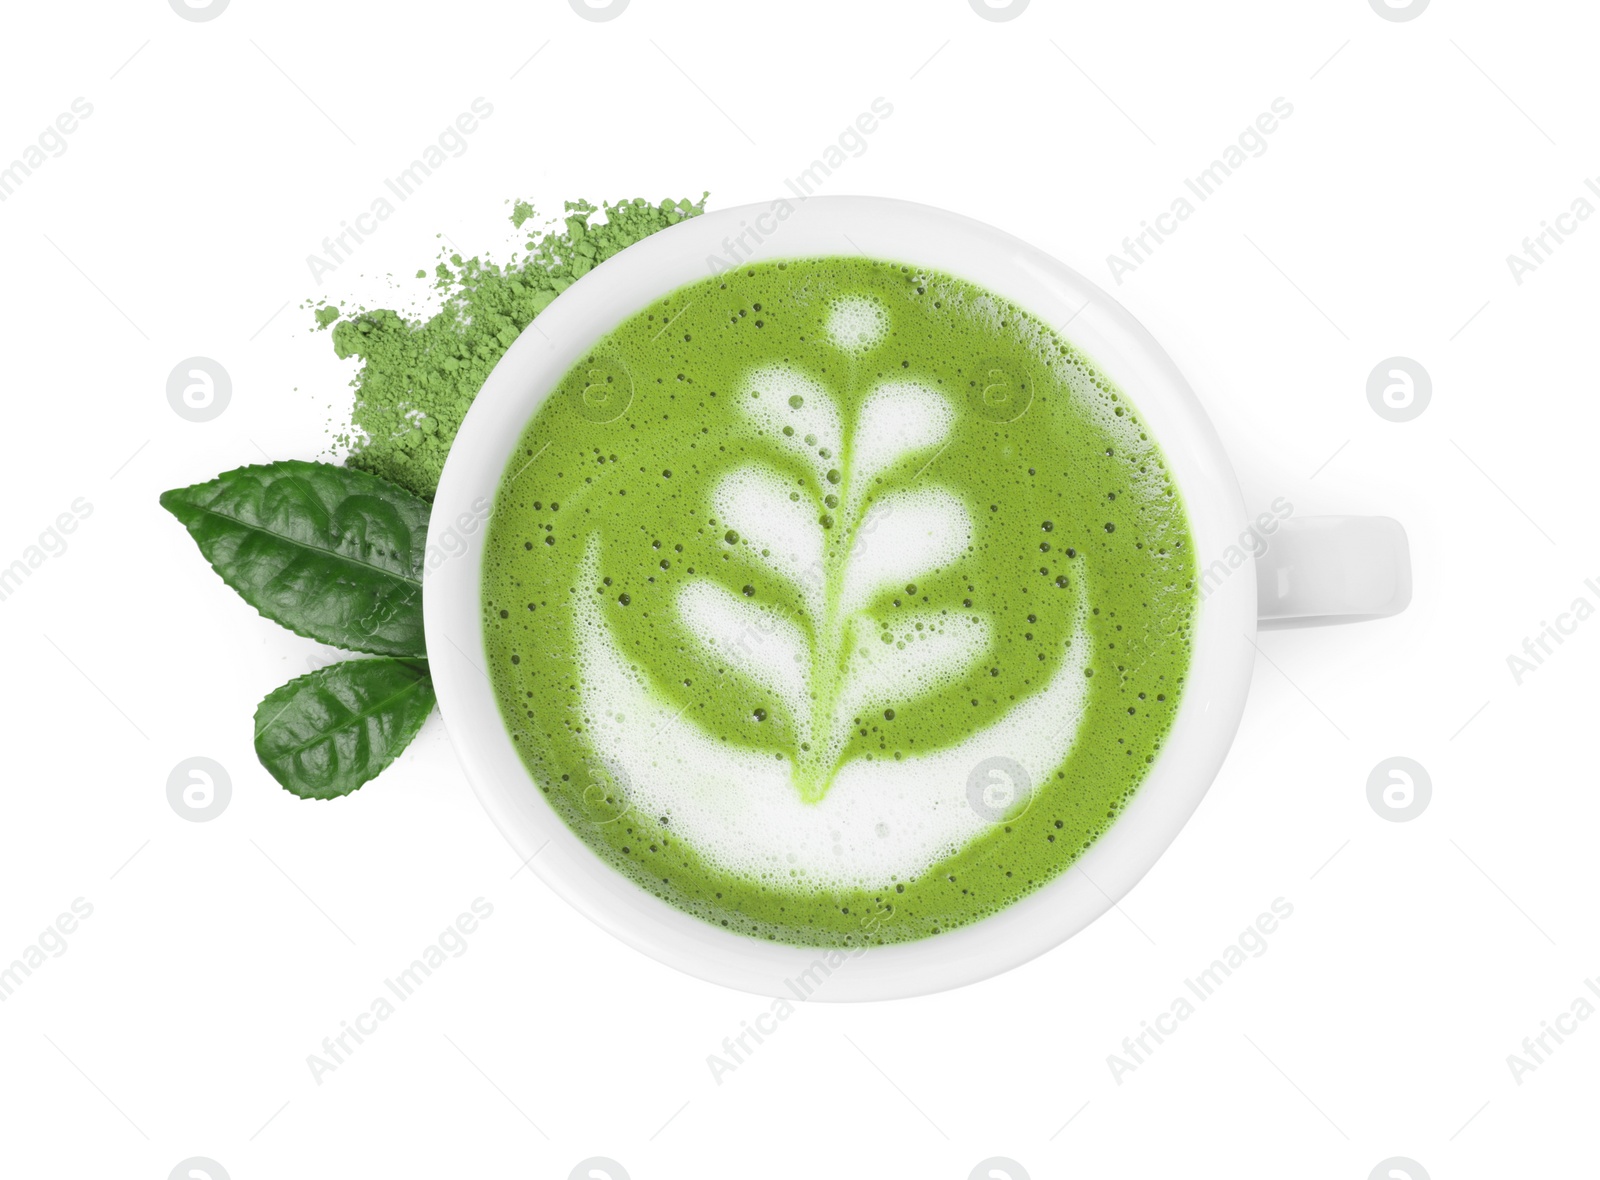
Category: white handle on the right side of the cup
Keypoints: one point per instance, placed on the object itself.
(1332, 570)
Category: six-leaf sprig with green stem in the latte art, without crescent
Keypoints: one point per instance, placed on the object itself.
(817, 535)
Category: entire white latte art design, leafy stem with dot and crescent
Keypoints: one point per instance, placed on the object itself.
(834, 508)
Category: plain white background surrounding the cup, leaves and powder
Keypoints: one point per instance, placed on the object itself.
(220, 955)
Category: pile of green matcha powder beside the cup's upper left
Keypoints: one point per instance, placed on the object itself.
(418, 377)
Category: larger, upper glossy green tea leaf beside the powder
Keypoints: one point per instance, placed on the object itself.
(332, 554)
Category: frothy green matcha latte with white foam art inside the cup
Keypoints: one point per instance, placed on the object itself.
(838, 602)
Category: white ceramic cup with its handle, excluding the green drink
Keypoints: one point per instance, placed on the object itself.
(1314, 572)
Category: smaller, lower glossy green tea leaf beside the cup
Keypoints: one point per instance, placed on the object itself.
(326, 735)
